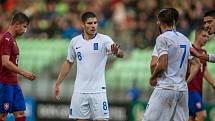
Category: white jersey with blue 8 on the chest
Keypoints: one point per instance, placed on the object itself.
(91, 57)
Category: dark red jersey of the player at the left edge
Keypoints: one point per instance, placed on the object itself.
(8, 46)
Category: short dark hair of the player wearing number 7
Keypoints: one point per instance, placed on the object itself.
(168, 16)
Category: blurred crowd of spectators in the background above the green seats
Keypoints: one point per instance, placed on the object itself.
(131, 22)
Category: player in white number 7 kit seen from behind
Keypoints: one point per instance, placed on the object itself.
(169, 100)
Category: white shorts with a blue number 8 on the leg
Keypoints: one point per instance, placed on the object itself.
(91, 106)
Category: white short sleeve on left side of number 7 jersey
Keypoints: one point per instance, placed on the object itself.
(161, 46)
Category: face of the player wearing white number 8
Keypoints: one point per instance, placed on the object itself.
(90, 26)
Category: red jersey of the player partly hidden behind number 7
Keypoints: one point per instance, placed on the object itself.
(196, 83)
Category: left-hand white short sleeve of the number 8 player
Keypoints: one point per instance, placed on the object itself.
(71, 52)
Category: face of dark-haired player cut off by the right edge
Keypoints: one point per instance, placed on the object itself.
(209, 23)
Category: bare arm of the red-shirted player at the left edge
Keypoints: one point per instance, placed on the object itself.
(9, 65)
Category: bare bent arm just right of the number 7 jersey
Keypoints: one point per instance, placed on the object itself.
(193, 68)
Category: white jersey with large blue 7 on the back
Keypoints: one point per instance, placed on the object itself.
(177, 46)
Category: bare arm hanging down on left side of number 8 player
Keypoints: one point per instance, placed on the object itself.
(66, 67)
